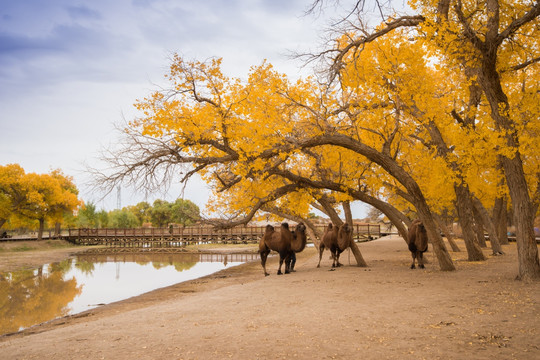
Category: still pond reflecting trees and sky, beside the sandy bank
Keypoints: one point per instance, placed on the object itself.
(31, 297)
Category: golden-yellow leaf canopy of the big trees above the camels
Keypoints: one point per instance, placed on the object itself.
(403, 89)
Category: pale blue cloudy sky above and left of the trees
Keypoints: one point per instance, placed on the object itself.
(70, 70)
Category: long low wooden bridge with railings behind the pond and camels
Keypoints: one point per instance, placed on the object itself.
(158, 238)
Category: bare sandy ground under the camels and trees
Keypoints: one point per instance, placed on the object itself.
(385, 311)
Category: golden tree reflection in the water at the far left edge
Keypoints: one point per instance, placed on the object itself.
(31, 297)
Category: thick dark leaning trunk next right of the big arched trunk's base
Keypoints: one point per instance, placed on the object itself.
(464, 207)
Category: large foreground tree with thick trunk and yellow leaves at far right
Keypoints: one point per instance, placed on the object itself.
(493, 47)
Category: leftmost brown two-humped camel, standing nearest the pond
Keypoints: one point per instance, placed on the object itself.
(279, 241)
